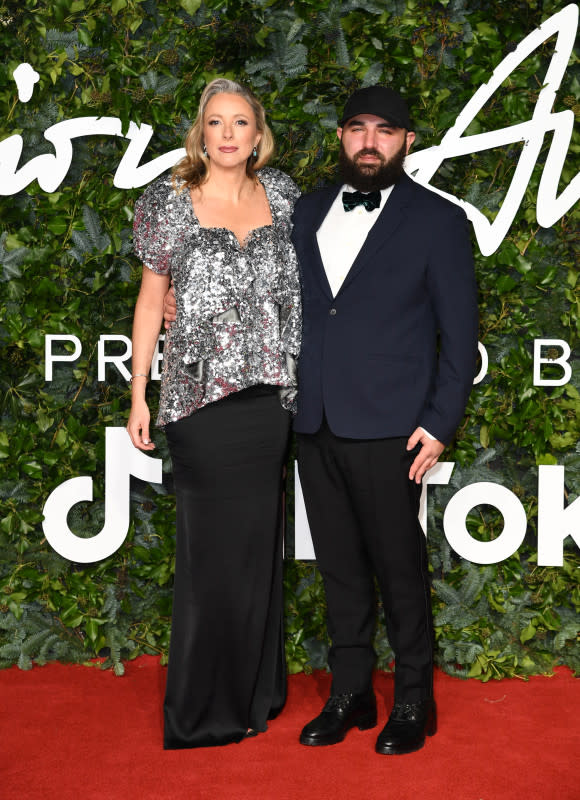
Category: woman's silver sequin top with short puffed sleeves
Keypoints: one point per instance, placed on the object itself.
(238, 307)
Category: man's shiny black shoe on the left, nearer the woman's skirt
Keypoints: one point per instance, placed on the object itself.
(341, 713)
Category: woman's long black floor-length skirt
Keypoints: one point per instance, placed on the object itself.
(226, 657)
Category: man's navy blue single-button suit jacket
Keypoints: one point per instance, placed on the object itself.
(396, 348)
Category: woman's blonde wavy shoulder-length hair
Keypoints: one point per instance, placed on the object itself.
(192, 169)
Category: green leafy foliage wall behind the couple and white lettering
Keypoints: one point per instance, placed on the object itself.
(67, 268)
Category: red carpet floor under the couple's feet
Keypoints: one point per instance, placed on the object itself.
(75, 733)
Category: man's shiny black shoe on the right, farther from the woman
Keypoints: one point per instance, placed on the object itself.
(407, 727)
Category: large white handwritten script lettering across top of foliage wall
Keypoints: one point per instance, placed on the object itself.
(50, 170)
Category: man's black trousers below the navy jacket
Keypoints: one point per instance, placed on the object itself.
(363, 515)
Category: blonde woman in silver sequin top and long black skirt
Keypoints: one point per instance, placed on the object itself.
(219, 228)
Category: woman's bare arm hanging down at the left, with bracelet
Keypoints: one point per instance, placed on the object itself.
(146, 327)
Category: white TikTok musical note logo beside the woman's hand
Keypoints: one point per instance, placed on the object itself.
(121, 461)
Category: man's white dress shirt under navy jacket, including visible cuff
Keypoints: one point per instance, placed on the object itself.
(341, 236)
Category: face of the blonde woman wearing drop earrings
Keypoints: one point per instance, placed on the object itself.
(229, 130)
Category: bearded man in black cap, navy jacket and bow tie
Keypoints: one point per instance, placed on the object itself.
(387, 362)
